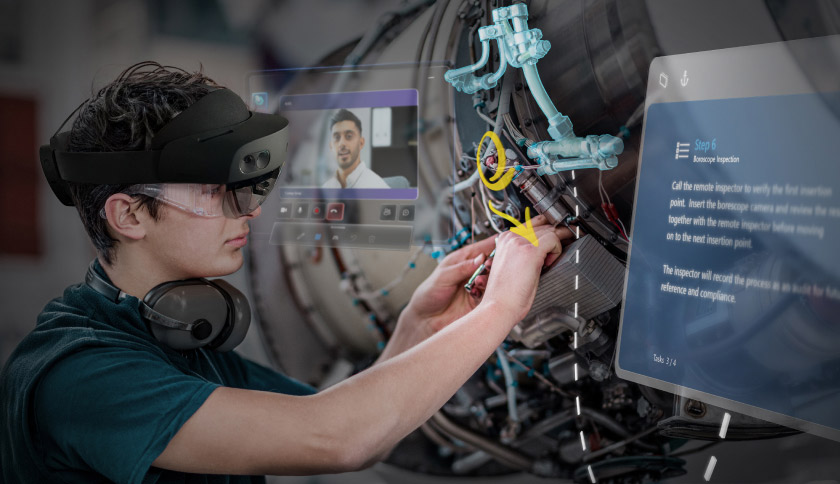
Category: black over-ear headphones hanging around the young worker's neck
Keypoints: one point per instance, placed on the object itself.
(188, 314)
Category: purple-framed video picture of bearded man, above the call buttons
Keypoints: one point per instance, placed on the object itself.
(363, 145)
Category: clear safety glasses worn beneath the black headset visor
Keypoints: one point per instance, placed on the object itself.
(232, 200)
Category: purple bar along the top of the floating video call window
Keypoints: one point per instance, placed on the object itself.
(336, 100)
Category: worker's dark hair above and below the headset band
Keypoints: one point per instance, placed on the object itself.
(123, 116)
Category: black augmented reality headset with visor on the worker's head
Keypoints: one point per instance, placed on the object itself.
(216, 140)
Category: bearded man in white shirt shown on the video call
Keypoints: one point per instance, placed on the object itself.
(346, 143)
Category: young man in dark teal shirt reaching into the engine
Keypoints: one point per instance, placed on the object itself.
(94, 395)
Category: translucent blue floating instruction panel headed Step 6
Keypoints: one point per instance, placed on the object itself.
(733, 285)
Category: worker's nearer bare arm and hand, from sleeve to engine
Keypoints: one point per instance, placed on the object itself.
(348, 425)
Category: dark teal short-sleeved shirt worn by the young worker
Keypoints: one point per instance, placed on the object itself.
(90, 396)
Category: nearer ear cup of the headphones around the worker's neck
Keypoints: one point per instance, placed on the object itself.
(192, 301)
